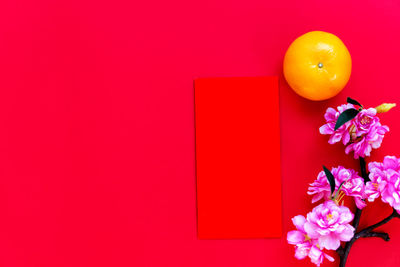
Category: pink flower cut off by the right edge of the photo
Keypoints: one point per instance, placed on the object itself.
(385, 181)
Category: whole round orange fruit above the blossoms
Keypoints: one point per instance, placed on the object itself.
(317, 65)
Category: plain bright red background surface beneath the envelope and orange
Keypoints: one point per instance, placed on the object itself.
(97, 133)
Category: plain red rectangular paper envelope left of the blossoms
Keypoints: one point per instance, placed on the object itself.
(238, 158)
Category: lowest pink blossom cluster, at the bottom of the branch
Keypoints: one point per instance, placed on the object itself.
(324, 228)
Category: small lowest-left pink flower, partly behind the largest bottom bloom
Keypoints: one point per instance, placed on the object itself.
(304, 245)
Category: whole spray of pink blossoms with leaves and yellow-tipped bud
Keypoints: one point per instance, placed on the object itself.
(328, 224)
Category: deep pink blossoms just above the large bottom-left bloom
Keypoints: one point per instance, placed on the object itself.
(353, 185)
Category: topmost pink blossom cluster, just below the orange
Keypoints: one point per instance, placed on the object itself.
(360, 134)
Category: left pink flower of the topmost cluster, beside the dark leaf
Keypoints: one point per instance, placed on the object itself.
(331, 117)
